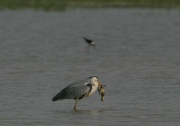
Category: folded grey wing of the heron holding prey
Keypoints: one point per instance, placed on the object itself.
(77, 89)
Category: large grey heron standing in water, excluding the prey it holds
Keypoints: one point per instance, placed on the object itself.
(78, 90)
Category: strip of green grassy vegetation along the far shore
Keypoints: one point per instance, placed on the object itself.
(64, 4)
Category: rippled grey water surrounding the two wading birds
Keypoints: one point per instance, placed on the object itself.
(137, 57)
